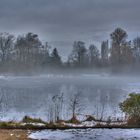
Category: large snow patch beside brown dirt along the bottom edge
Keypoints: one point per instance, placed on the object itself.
(88, 134)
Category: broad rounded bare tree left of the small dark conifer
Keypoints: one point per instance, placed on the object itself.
(27, 48)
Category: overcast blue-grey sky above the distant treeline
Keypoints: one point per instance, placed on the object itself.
(60, 22)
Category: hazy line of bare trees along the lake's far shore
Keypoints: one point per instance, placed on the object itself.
(27, 52)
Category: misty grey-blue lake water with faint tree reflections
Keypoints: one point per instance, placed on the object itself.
(30, 95)
